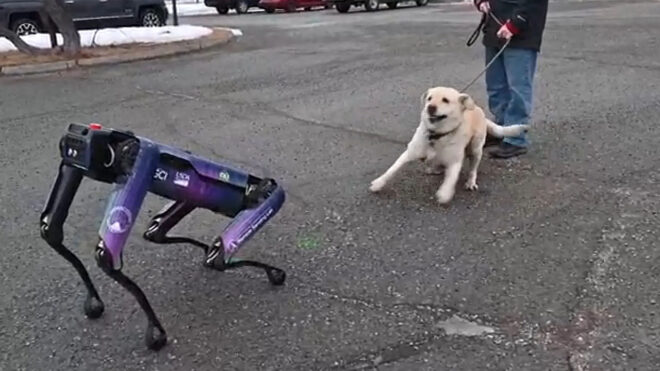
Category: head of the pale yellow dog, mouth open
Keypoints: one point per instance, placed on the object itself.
(444, 107)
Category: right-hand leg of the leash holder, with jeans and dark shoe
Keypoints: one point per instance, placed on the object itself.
(520, 65)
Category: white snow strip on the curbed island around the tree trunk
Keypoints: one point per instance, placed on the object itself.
(118, 36)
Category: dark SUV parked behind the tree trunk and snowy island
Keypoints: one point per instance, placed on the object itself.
(22, 17)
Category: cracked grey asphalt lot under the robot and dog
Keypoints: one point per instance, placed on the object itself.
(556, 253)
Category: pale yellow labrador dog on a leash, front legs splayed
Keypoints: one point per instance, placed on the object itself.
(451, 128)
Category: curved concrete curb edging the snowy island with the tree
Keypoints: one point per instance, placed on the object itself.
(163, 50)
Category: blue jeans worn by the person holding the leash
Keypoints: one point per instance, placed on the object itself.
(509, 83)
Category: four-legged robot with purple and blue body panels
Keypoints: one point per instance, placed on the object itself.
(137, 166)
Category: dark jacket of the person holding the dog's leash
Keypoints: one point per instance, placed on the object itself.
(526, 20)
